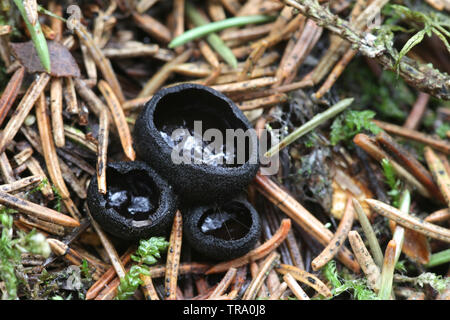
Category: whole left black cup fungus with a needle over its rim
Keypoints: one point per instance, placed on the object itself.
(138, 204)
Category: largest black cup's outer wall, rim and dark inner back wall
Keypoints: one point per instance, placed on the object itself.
(195, 183)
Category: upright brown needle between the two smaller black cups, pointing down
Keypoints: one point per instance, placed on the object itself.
(173, 257)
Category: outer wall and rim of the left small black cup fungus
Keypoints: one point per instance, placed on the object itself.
(159, 220)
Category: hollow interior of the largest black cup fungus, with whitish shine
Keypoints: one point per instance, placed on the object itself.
(179, 110)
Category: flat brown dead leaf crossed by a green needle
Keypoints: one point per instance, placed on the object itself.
(62, 62)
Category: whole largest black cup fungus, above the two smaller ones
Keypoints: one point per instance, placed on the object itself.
(206, 170)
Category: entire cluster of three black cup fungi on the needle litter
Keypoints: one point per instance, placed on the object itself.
(143, 195)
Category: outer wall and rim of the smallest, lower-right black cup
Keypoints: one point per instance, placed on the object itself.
(216, 248)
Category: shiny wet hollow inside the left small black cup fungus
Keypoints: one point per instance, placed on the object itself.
(133, 195)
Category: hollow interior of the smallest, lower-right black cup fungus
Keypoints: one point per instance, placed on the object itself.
(231, 221)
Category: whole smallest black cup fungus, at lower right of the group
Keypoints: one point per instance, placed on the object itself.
(222, 232)
